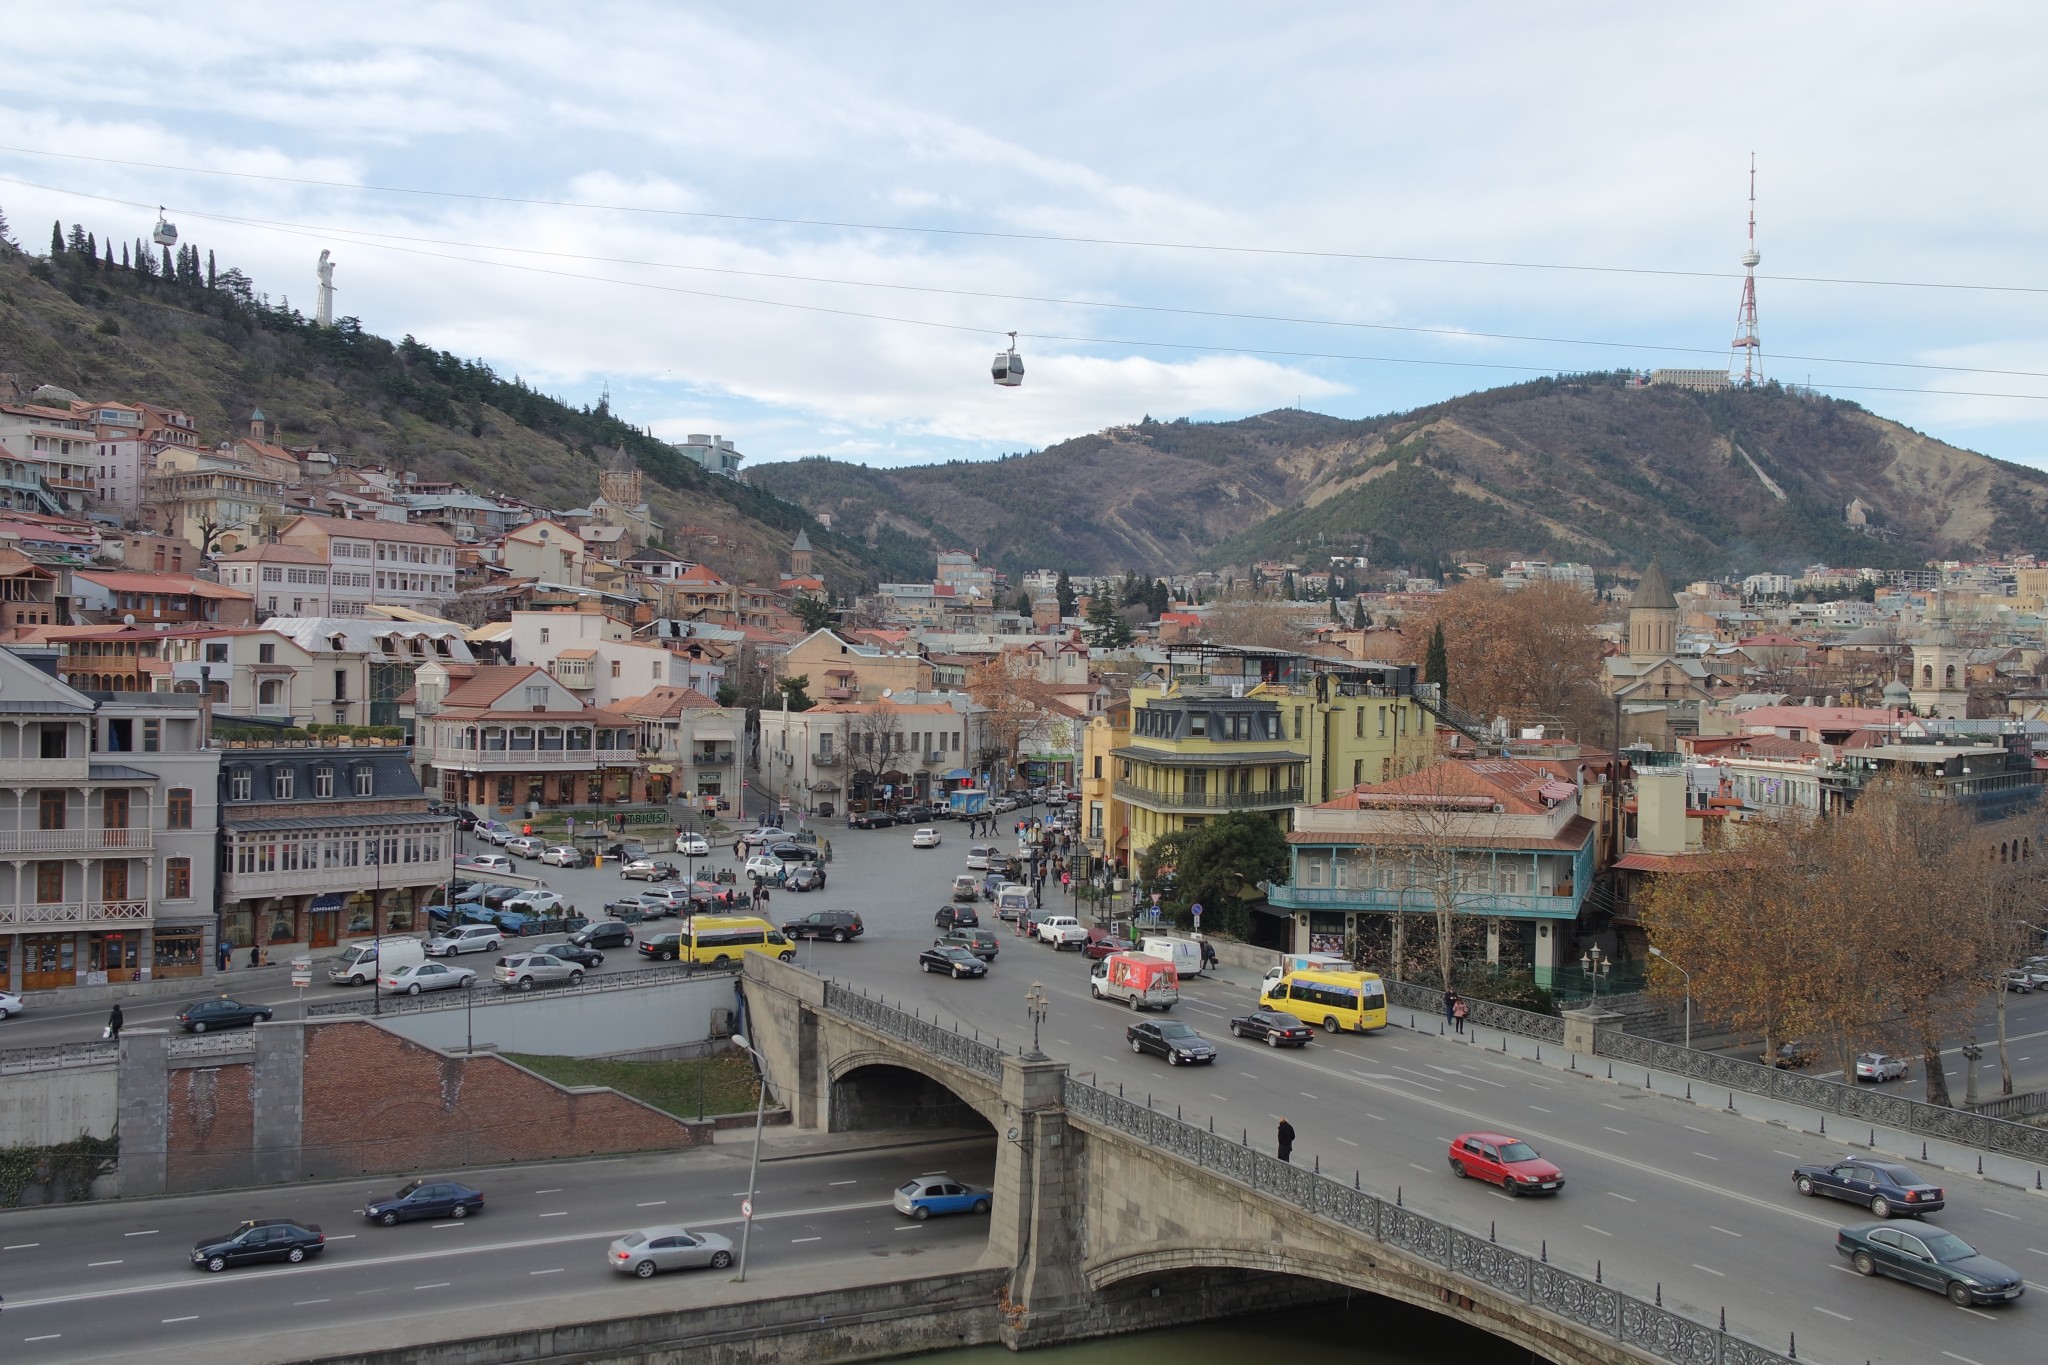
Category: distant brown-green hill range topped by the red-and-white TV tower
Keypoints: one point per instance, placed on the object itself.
(1576, 468)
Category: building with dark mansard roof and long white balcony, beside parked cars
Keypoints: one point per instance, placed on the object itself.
(325, 842)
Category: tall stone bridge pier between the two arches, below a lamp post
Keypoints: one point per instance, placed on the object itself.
(1037, 1223)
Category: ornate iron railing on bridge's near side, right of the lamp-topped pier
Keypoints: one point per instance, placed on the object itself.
(1533, 1280)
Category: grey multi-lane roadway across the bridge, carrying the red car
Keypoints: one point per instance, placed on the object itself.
(1662, 1194)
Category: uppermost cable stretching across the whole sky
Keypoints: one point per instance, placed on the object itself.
(1025, 236)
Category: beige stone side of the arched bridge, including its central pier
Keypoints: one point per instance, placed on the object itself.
(1113, 1217)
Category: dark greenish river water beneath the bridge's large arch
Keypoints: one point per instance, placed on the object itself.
(1367, 1333)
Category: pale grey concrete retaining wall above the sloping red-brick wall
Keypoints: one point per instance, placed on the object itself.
(587, 1024)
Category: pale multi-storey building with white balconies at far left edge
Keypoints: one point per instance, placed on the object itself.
(110, 836)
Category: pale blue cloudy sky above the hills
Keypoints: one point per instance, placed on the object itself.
(810, 226)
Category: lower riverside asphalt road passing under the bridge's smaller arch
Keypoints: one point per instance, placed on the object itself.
(116, 1280)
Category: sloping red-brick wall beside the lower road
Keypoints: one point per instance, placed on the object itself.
(378, 1102)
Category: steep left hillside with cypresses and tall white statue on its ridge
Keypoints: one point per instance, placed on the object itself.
(206, 343)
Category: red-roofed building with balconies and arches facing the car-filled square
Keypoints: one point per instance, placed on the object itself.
(511, 740)
